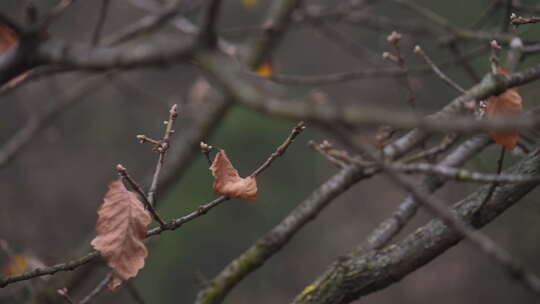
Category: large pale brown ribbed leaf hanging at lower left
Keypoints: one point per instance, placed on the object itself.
(120, 229)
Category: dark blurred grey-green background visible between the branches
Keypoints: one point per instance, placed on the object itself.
(51, 190)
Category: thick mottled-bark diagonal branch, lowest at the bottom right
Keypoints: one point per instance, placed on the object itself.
(358, 275)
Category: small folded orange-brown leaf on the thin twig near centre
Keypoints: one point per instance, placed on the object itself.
(227, 181)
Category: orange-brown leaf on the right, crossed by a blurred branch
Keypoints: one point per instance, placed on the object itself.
(504, 105)
